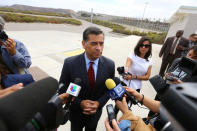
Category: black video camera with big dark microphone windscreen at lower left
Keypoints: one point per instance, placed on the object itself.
(36, 107)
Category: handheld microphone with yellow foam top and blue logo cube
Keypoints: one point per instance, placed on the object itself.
(116, 91)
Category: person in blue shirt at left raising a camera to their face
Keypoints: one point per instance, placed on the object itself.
(14, 60)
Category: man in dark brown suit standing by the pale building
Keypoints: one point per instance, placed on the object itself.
(172, 49)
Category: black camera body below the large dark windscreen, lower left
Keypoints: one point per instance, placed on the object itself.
(49, 118)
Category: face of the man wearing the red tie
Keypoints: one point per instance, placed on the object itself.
(94, 46)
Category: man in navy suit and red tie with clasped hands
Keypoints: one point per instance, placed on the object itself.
(93, 69)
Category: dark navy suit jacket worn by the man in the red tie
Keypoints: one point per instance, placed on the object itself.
(74, 67)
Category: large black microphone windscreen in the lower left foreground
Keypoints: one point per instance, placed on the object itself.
(19, 107)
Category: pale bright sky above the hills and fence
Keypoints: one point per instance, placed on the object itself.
(163, 9)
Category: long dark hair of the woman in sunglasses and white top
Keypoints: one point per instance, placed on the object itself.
(137, 48)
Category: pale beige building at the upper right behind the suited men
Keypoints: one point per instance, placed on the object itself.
(185, 18)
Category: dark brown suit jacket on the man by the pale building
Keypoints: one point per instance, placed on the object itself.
(165, 50)
